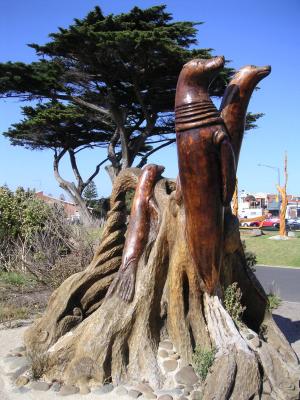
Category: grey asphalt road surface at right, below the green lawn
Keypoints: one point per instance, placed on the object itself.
(284, 282)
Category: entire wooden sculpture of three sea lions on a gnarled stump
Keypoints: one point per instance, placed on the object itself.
(182, 245)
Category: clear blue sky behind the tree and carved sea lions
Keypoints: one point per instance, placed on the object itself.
(259, 32)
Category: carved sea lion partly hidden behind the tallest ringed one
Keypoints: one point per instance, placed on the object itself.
(236, 99)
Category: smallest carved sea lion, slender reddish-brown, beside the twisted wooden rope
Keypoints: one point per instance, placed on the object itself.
(137, 233)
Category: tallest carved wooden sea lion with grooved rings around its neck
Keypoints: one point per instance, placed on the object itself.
(206, 166)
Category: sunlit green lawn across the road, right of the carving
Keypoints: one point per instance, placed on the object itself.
(274, 252)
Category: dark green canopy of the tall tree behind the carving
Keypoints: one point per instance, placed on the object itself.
(107, 81)
